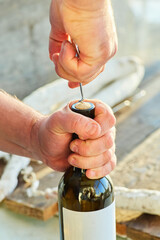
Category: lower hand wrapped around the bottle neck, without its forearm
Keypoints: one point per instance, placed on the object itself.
(95, 148)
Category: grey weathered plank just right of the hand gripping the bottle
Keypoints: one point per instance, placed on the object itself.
(136, 123)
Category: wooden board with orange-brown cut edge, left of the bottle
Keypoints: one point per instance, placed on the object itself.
(37, 207)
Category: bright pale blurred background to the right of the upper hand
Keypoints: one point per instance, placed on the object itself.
(138, 26)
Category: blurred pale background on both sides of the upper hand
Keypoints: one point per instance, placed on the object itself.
(24, 31)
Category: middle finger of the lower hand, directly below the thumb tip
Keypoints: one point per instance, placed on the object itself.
(93, 147)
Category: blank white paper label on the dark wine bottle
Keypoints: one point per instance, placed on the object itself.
(95, 225)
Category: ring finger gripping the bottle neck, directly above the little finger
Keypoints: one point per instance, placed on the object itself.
(90, 162)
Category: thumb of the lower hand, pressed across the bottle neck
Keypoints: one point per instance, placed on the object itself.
(66, 121)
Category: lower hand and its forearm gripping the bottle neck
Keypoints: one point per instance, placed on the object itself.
(23, 131)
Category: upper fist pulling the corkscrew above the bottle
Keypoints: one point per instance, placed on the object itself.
(90, 24)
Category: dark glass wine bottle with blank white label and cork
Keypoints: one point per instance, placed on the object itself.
(86, 206)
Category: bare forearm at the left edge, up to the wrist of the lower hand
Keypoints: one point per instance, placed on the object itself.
(16, 123)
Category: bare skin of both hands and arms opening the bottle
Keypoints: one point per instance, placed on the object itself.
(25, 132)
